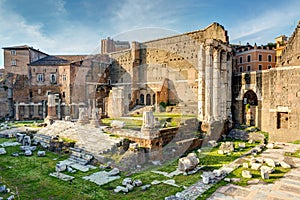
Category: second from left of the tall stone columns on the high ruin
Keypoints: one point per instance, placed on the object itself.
(208, 83)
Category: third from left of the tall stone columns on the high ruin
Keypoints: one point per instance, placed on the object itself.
(216, 85)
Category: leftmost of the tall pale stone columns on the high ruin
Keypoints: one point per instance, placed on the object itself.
(201, 83)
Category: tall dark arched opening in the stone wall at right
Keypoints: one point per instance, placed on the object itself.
(250, 104)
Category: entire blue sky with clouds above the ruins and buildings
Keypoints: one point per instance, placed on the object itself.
(77, 26)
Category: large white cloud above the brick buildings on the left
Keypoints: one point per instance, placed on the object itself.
(72, 39)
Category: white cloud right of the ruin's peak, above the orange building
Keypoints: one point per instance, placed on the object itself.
(264, 25)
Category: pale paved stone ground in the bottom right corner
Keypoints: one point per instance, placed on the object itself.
(286, 188)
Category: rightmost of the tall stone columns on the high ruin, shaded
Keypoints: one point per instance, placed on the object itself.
(224, 85)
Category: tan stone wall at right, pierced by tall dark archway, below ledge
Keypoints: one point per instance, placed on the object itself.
(278, 108)
